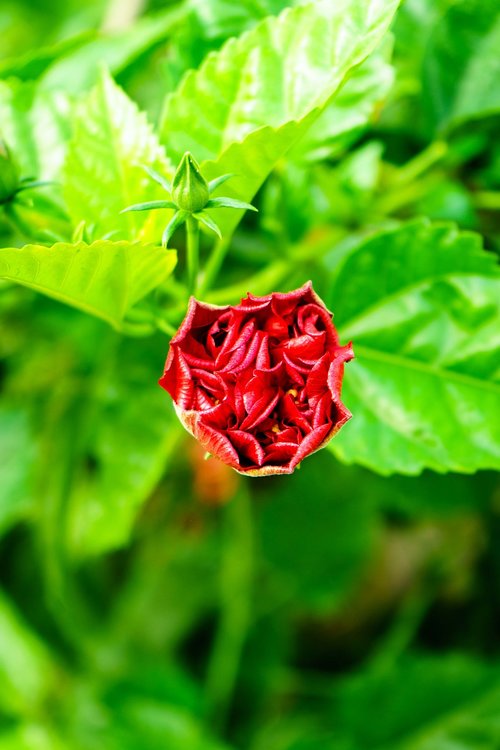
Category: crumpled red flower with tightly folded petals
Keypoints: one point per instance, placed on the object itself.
(258, 384)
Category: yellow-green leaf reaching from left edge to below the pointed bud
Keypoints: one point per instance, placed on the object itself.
(104, 279)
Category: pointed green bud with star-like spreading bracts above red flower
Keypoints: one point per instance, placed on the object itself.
(190, 197)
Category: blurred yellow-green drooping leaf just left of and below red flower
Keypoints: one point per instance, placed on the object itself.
(126, 443)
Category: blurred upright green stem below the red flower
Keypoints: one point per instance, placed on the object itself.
(235, 591)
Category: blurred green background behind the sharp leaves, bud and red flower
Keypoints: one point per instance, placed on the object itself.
(150, 599)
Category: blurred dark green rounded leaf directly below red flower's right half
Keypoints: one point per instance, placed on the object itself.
(316, 574)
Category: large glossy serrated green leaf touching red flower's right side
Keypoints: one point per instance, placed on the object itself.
(421, 304)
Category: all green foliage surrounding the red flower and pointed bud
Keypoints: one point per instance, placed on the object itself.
(150, 599)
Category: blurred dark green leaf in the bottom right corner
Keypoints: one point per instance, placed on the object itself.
(424, 702)
